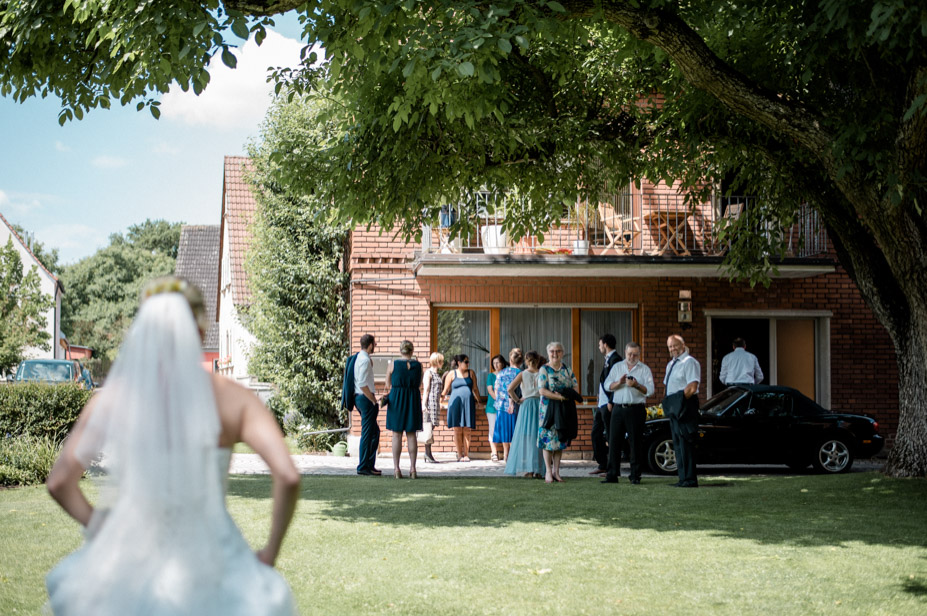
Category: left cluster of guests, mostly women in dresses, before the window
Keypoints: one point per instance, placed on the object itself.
(531, 407)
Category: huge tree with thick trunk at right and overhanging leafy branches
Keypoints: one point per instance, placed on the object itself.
(816, 101)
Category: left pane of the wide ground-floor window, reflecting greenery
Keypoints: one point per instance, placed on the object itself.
(466, 332)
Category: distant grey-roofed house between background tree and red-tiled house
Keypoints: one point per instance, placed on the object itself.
(198, 262)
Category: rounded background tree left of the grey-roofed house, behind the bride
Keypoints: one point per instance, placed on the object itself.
(101, 291)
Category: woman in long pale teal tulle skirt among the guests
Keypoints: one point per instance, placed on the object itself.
(525, 455)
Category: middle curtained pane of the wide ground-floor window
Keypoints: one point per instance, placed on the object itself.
(533, 328)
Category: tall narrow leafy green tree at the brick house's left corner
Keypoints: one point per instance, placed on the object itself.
(299, 310)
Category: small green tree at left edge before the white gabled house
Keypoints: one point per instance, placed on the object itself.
(22, 309)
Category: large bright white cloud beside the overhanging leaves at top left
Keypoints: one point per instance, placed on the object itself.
(234, 97)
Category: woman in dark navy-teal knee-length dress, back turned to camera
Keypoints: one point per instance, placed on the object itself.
(404, 413)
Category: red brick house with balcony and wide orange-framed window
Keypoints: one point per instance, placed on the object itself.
(645, 266)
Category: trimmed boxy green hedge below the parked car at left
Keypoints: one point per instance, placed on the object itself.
(40, 409)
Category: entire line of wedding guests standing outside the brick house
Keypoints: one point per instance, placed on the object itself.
(531, 407)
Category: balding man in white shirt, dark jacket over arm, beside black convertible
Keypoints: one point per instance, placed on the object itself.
(683, 375)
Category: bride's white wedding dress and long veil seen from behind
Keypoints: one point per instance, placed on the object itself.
(161, 541)
